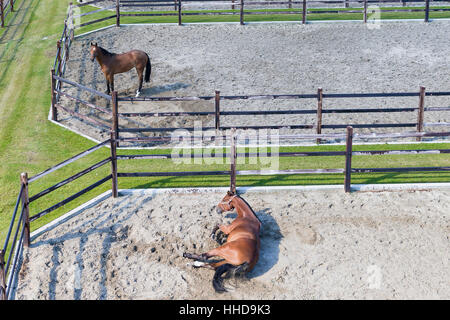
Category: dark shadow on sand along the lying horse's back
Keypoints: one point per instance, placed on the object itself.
(270, 237)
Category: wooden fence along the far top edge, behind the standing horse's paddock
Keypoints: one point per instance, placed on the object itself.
(302, 9)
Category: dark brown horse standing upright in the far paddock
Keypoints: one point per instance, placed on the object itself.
(112, 63)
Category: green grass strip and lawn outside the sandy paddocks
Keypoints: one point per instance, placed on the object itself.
(29, 142)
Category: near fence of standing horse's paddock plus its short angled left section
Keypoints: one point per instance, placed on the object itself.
(116, 116)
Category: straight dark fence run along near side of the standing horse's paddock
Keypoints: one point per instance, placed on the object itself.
(320, 96)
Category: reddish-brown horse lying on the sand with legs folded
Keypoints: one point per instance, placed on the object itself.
(241, 250)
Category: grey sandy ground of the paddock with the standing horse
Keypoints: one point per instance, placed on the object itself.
(196, 60)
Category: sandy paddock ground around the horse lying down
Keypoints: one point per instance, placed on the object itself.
(314, 245)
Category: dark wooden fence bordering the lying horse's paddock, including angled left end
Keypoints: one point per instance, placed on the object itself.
(21, 219)
